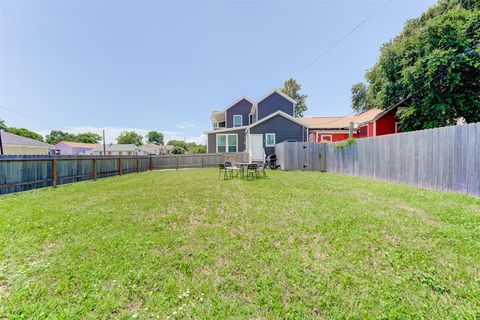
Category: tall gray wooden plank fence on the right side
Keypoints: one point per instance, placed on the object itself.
(444, 159)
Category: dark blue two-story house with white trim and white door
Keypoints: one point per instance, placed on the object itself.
(256, 126)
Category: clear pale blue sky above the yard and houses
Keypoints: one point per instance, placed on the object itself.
(165, 65)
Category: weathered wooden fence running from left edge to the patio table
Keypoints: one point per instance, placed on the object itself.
(19, 173)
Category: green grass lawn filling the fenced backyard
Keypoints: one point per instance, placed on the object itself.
(183, 244)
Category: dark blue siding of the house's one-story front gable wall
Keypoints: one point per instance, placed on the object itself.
(283, 128)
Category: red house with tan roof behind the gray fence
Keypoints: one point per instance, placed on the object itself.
(371, 123)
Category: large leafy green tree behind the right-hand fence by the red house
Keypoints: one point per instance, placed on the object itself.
(432, 67)
